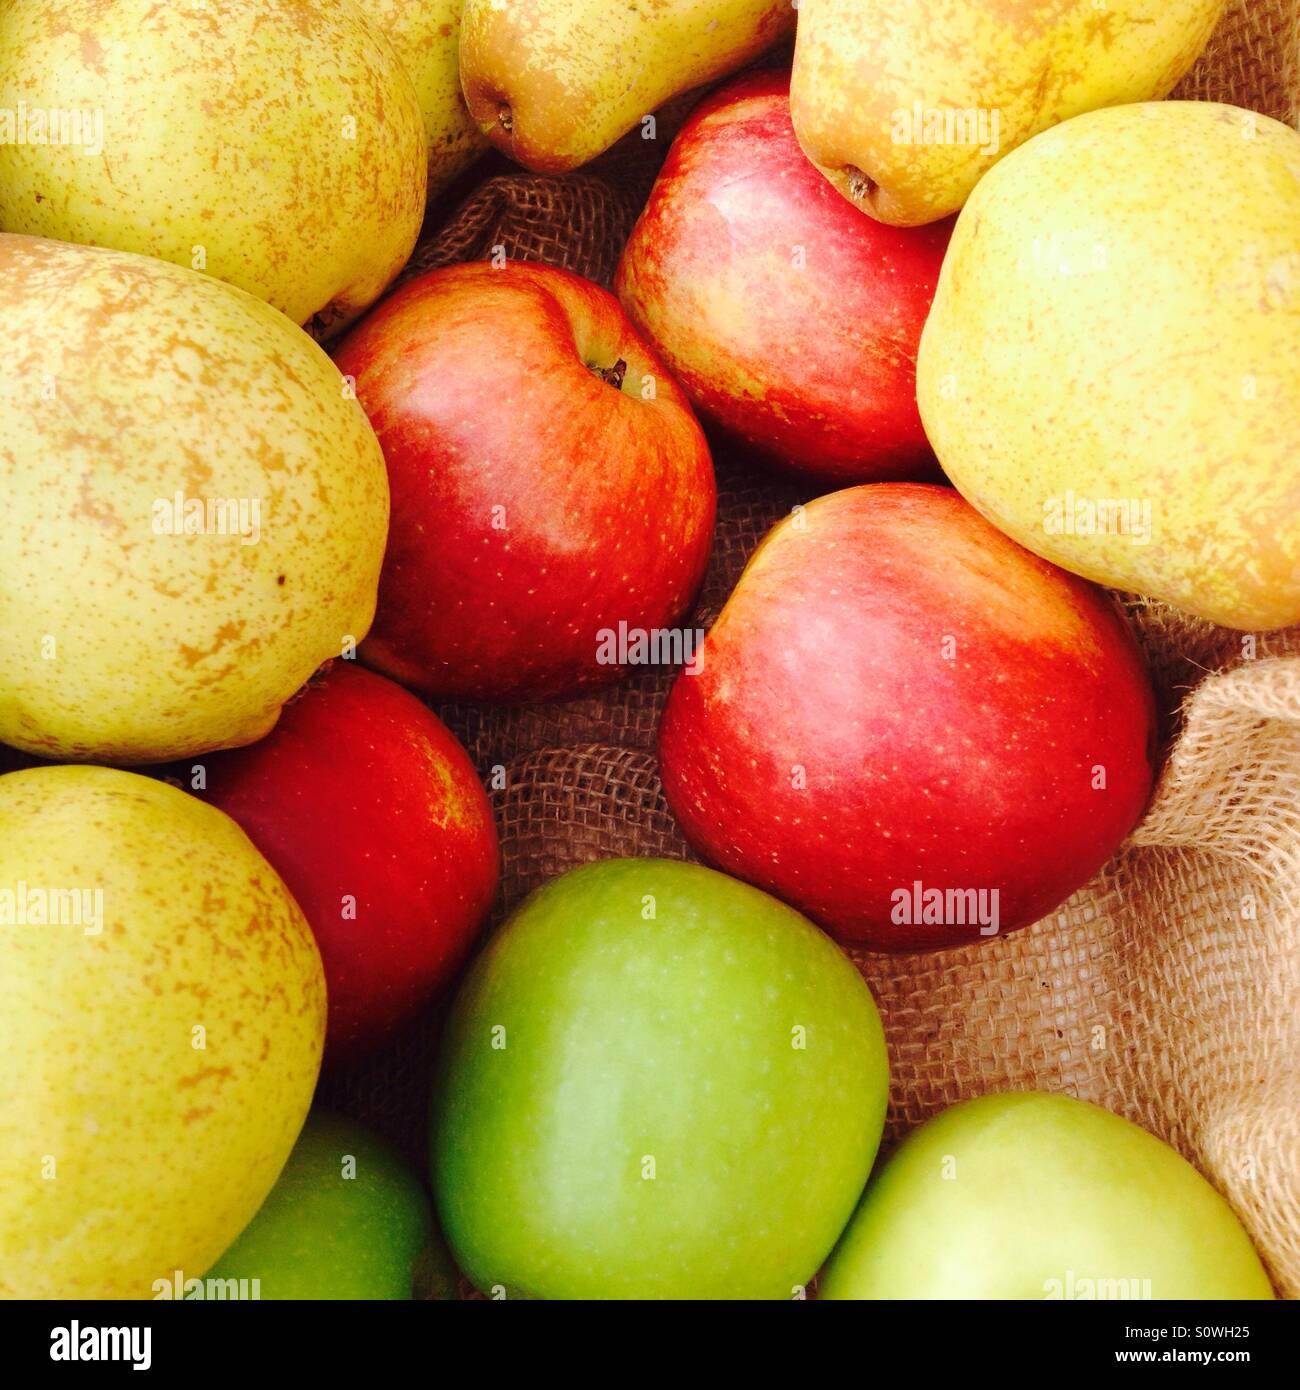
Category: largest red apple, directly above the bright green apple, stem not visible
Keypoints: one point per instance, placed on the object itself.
(910, 728)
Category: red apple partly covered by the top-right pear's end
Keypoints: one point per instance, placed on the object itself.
(790, 318)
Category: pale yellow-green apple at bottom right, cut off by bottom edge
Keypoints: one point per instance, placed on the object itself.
(1035, 1196)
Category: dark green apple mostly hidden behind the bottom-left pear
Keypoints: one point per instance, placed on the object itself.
(348, 1220)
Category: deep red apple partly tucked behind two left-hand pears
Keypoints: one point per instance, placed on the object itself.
(372, 812)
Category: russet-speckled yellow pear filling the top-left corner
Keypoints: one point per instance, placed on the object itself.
(275, 144)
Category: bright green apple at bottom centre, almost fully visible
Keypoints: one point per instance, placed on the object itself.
(656, 1084)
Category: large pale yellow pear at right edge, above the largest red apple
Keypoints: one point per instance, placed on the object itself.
(1112, 365)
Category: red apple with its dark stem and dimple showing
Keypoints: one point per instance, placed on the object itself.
(549, 482)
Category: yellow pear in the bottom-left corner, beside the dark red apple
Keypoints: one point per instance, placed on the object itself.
(163, 1013)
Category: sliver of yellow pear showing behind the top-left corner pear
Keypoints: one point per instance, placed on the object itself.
(428, 40)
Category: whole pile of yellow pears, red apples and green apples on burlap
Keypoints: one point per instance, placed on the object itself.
(1025, 330)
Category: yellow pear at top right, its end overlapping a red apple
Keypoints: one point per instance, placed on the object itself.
(906, 106)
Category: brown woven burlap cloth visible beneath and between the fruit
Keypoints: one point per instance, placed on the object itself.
(1167, 990)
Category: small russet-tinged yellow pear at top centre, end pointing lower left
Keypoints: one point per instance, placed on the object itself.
(555, 83)
